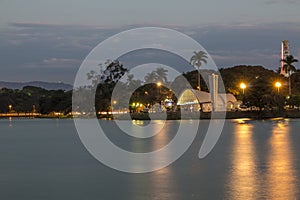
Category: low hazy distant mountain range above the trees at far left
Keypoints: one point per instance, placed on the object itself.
(42, 84)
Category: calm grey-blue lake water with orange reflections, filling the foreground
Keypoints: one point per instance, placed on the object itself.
(45, 159)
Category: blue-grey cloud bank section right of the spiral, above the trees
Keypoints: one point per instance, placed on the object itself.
(252, 44)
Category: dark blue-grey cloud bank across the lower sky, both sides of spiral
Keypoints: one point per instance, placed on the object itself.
(52, 52)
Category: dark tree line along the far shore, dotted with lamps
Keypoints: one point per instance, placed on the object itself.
(260, 91)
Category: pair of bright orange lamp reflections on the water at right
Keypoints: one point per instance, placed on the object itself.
(258, 174)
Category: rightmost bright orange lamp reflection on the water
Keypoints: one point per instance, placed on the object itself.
(281, 173)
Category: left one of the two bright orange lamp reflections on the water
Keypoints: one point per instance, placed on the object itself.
(243, 183)
